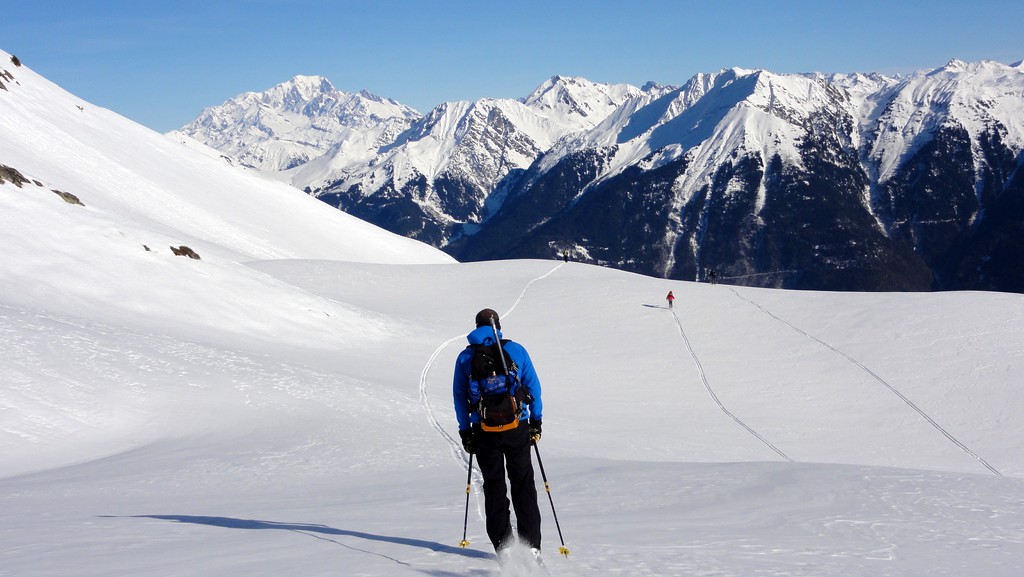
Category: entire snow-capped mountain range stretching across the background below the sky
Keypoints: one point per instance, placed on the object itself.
(810, 181)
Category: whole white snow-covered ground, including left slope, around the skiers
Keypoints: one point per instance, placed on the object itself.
(282, 406)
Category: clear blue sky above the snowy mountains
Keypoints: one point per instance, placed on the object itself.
(161, 63)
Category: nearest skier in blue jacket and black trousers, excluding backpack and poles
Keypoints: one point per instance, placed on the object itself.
(505, 452)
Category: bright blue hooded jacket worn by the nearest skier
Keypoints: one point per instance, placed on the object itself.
(465, 413)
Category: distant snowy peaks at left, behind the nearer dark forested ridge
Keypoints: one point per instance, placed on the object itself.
(445, 172)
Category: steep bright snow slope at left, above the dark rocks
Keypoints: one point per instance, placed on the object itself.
(121, 170)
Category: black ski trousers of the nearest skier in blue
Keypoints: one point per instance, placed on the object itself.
(498, 454)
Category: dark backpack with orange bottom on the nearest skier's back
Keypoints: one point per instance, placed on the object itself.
(498, 395)
